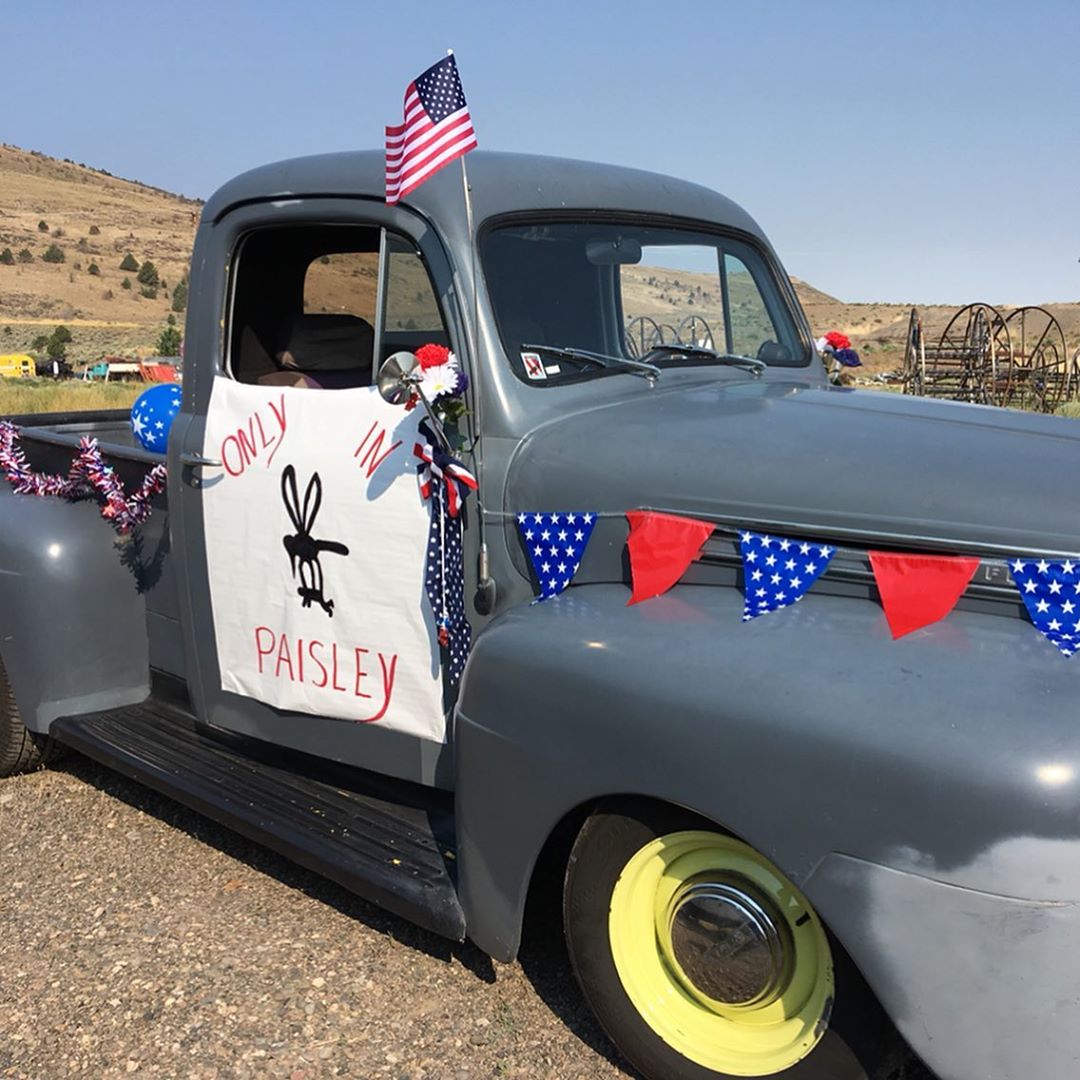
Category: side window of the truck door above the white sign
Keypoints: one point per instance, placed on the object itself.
(306, 306)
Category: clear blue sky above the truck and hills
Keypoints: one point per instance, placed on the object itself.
(916, 152)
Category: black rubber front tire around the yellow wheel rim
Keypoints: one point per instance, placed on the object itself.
(860, 1043)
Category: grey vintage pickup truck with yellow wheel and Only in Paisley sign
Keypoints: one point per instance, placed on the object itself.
(789, 846)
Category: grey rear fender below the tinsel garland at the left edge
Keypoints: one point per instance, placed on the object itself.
(73, 624)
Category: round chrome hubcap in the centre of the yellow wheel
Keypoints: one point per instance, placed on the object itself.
(726, 946)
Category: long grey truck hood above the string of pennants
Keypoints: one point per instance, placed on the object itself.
(841, 462)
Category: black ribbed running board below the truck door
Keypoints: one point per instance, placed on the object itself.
(384, 852)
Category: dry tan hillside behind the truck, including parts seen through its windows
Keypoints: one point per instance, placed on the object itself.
(98, 220)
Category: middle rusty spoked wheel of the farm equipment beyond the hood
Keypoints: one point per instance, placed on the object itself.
(973, 361)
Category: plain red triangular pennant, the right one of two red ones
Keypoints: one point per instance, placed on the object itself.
(919, 590)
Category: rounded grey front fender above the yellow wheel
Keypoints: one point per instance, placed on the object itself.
(805, 733)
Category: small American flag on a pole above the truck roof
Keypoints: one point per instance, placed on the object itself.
(437, 131)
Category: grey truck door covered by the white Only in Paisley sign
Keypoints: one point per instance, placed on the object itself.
(305, 533)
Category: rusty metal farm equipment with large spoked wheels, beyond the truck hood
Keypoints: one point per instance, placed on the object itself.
(982, 356)
